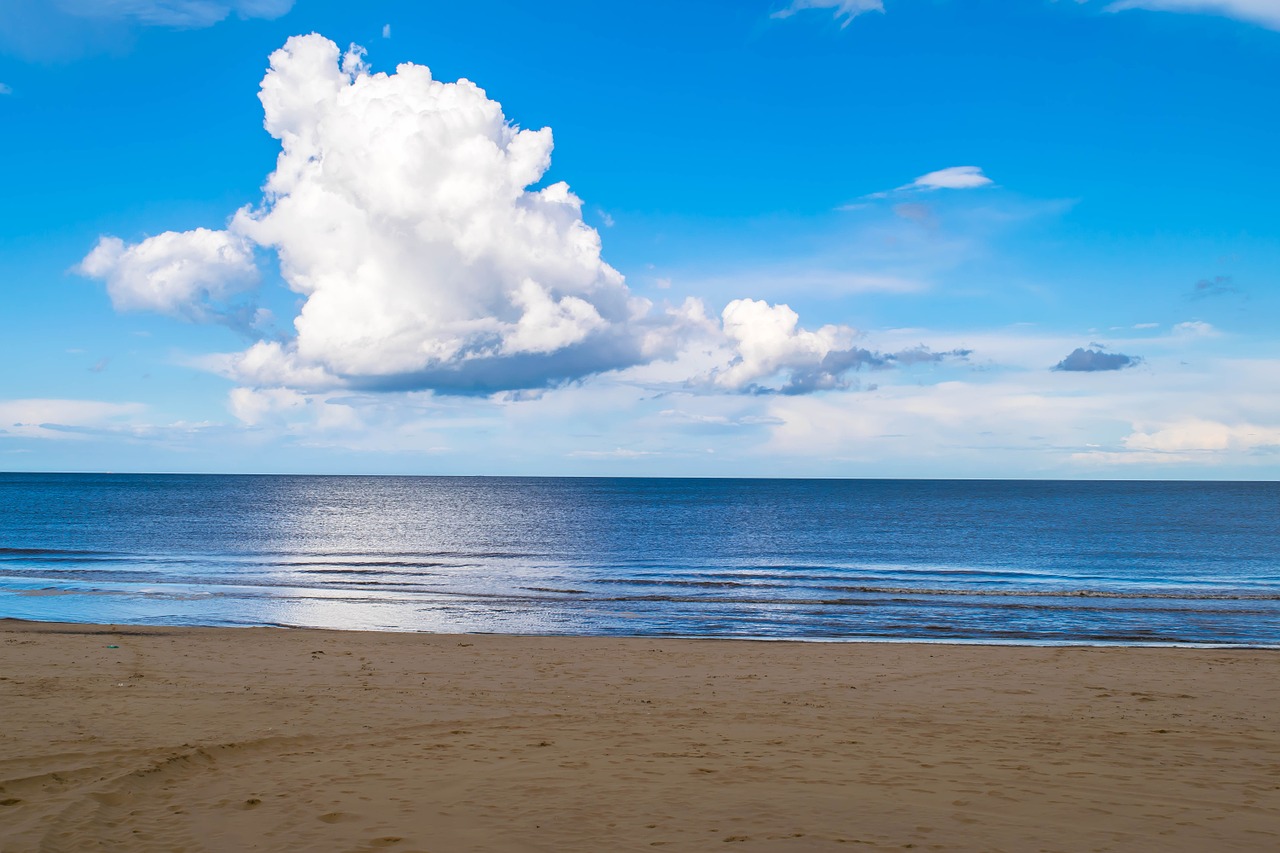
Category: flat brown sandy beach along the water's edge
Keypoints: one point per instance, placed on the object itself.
(276, 740)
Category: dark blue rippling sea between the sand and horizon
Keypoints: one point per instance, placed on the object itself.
(943, 560)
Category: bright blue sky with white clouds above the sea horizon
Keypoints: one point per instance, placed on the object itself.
(924, 239)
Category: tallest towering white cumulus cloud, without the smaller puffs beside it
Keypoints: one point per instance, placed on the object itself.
(401, 209)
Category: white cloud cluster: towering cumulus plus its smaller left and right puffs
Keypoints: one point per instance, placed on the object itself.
(403, 215)
